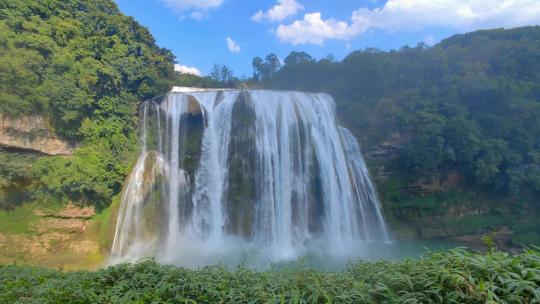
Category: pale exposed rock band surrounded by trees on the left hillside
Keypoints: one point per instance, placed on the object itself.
(31, 133)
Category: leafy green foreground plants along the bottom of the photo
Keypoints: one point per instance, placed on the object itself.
(454, 276)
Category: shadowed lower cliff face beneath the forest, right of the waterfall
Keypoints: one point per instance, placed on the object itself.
(445, 207)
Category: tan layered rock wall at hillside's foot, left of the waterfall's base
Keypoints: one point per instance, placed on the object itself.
(65, 239)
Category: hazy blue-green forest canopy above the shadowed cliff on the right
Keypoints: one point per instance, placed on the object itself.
(470, 103)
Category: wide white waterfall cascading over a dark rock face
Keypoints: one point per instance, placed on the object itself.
(228, 176)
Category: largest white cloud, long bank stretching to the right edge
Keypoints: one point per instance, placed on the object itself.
(414, 15)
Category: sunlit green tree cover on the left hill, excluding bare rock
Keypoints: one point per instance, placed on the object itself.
(83, 66)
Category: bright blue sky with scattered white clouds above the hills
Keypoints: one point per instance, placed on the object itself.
(203, 32)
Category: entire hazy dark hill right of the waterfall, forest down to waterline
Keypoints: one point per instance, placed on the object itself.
(462, 116)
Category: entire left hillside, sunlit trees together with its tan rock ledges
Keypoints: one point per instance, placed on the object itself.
(71, 76)
